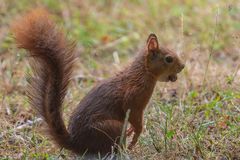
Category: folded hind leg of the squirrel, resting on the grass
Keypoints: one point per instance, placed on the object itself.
(101, 137)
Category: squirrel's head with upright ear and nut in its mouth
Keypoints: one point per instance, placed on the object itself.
(161, 62)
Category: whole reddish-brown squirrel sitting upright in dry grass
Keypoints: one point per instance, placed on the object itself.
(96, 124)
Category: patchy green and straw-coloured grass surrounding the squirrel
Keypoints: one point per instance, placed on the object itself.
(198, 117)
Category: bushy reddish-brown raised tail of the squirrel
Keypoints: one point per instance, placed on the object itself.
(53, 59)
